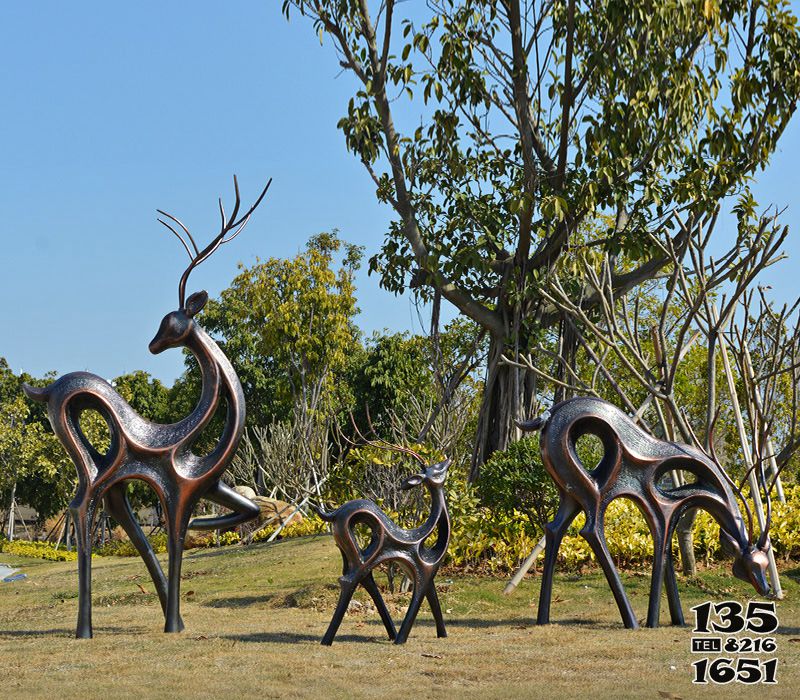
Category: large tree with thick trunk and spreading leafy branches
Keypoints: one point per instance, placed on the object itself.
(529, 122)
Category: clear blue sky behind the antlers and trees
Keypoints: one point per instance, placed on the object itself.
(115, 109)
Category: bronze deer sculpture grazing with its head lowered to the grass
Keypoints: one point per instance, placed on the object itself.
(633, 465)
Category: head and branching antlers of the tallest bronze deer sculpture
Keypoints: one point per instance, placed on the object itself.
(177, 326)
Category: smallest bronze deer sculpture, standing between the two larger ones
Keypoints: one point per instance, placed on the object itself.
(389, 542)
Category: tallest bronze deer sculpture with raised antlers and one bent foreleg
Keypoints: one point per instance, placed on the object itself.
(160, 455)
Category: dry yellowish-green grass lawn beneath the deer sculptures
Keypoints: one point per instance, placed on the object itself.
(254, 617)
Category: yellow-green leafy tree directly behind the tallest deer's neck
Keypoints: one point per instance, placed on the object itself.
(288, 328)
